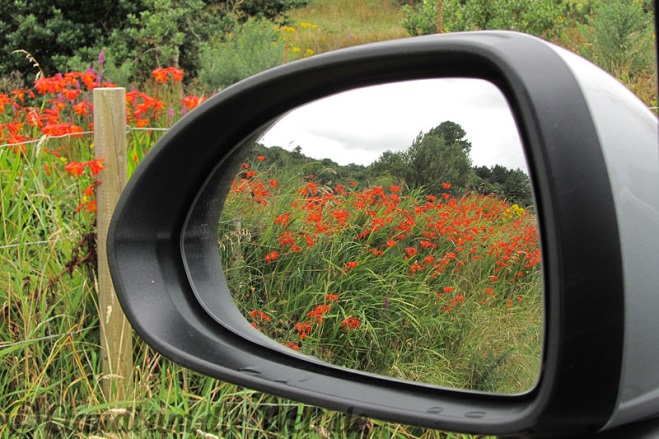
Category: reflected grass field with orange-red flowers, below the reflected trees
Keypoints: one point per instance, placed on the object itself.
(415, 286)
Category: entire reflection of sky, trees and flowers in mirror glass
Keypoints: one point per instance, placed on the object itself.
(392, 230)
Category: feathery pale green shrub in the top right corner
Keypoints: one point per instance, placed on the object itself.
(622, 33)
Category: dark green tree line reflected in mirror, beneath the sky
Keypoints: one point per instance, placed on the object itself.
(438, 156)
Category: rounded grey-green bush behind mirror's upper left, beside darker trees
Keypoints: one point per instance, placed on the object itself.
(252, 48)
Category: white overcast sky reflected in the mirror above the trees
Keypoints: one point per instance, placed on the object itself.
(359, 125)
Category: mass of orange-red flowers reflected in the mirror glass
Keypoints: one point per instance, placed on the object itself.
(434, 237)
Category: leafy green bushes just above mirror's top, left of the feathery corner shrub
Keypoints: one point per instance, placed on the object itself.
(539, 17)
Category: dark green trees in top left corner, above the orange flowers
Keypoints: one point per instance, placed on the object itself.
(135, 36)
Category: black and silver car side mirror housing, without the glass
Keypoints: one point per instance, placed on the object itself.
(593, 162)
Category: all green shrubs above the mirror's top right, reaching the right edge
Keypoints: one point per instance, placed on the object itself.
(618, 35)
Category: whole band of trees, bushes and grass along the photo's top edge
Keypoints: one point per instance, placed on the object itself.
(218, 42)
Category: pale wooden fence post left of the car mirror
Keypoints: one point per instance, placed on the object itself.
(116, 332)
